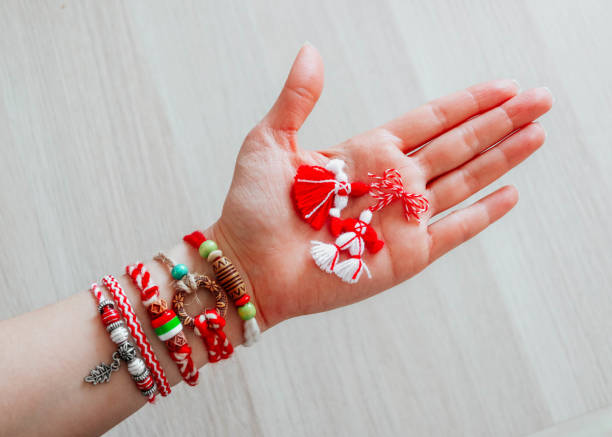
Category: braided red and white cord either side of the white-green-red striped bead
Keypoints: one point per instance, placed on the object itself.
(149, 294)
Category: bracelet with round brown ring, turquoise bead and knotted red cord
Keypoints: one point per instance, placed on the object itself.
(208, 325)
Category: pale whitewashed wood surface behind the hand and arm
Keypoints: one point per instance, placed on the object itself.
(119, 125)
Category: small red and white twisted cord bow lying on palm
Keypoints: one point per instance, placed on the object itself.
(388, 187)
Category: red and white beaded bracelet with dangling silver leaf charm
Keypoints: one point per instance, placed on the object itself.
(125, 350)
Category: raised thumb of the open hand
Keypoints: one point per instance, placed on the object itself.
(300, 93)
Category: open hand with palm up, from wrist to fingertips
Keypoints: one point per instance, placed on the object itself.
(260, 229)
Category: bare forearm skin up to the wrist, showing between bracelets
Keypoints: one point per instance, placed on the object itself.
(47, 352)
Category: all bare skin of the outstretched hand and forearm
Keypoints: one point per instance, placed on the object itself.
(270, 244)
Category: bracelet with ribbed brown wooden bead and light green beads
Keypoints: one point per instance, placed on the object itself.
(229, 278)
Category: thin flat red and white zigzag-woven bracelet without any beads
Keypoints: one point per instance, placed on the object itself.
(146, 351)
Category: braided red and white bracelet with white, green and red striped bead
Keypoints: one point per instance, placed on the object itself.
(165, 322)
